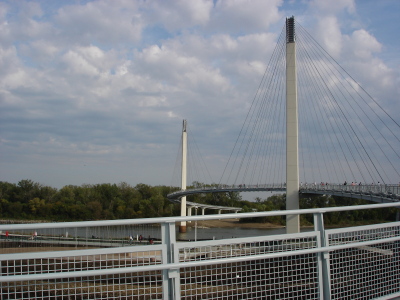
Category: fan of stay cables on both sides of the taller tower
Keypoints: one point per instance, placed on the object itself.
(344, 134)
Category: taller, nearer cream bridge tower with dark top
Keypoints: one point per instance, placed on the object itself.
(292, 133)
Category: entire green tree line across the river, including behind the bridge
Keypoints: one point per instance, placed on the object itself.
(28, 200)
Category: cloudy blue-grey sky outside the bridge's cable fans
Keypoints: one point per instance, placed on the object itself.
(96, 91)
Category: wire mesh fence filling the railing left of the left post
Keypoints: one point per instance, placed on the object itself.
(109, 286)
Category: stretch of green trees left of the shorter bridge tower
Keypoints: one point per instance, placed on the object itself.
(31, 200)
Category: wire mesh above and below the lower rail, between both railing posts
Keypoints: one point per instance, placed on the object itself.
(287, 277)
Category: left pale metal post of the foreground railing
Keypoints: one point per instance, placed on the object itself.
(171, 277)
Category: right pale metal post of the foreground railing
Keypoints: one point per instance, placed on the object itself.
(323, 259)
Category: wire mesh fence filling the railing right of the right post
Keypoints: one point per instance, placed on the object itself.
(365, 272)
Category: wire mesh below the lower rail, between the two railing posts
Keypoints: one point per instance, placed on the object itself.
(293, 277)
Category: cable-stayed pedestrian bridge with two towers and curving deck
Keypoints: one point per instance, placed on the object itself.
(309, 121)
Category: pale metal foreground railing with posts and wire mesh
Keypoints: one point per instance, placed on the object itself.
(109, 260)
